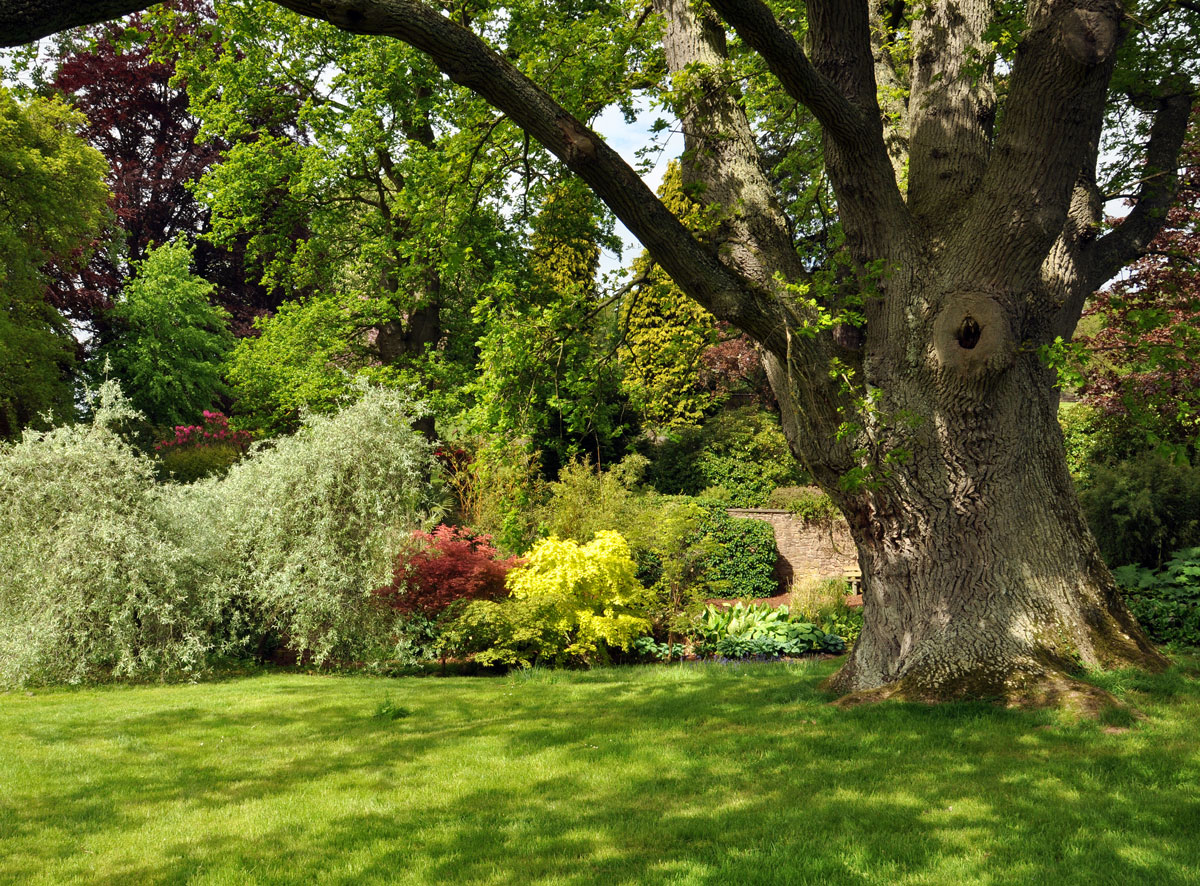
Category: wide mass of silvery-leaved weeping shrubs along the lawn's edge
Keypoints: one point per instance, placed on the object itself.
(104, 574)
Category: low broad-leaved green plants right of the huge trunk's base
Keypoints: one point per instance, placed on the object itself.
(1167, 603)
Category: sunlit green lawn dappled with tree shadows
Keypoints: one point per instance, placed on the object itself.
(670, 775)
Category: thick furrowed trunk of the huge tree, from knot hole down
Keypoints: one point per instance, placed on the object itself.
(980, 574)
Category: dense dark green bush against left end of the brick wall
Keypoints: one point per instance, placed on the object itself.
(742, 554)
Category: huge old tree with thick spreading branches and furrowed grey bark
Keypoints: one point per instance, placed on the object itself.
(962, 141)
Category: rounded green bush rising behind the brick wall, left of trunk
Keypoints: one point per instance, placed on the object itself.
(740, 454)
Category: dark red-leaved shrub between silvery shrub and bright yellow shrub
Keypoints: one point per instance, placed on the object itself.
(445, 567)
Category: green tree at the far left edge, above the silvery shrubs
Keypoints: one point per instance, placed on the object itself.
(52, 205)
